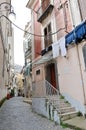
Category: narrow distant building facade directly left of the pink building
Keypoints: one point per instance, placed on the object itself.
(27, 70)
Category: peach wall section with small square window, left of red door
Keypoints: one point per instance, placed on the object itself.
(38, 82)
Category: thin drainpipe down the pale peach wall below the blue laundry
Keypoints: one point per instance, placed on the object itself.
(83, 86)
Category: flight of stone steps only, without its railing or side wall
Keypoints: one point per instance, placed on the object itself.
(64, 109)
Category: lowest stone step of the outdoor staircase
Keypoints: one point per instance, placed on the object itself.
(68, 115)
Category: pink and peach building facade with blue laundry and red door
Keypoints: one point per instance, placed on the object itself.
(56, 20)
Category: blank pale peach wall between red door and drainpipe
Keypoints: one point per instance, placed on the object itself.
(69, 75)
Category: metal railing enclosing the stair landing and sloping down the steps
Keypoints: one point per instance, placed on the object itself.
(45, 89)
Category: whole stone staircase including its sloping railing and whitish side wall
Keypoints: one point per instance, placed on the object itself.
(59, 109)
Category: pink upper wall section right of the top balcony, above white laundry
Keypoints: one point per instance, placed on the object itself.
(62, 17)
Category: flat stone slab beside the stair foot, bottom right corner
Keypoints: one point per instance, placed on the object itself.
(76, 123)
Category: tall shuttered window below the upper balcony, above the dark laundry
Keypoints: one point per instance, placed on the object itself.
(47, 36)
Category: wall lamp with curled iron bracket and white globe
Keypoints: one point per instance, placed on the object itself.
(12, 15)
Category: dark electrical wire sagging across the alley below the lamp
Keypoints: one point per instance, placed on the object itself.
(37, 35)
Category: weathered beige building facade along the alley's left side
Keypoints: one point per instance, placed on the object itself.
(6, 41)
